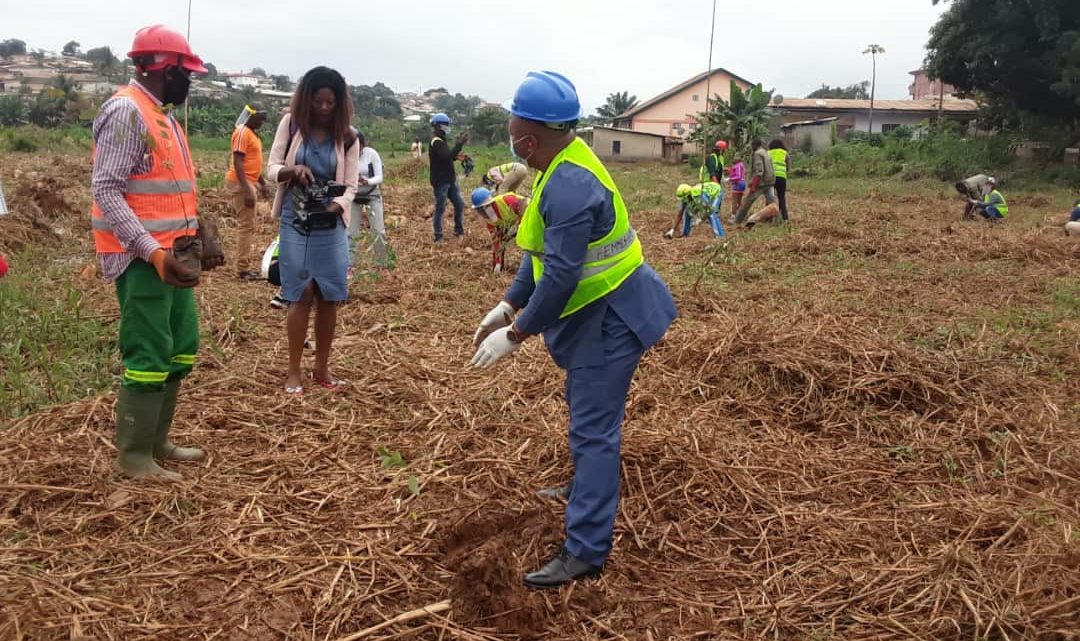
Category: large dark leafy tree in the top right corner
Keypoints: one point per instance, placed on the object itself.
(1022, 60)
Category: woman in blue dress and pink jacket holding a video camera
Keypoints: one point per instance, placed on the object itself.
(315, 160)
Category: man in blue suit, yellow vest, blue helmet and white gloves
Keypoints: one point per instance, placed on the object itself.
(585, 285)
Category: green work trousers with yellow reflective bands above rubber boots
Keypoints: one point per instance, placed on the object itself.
(159, 329)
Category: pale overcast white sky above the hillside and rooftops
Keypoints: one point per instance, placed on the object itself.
(485, 47)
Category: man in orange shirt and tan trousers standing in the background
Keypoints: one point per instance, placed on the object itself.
(245, 174)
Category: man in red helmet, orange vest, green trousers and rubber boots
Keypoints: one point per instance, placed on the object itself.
(145, 201)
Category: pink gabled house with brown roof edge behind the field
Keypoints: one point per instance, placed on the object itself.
(676, 112)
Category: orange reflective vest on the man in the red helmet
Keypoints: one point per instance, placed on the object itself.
(164, 199)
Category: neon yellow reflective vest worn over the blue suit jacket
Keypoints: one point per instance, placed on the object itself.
(611, 261)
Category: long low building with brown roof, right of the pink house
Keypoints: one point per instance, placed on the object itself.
(888, 115)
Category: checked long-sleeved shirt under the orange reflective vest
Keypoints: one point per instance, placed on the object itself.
(121, 153)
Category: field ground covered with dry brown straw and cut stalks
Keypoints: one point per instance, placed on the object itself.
(862, 428)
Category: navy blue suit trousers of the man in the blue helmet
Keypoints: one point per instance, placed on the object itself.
(597, 398)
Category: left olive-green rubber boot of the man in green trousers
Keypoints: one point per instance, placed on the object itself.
(138, 415)
